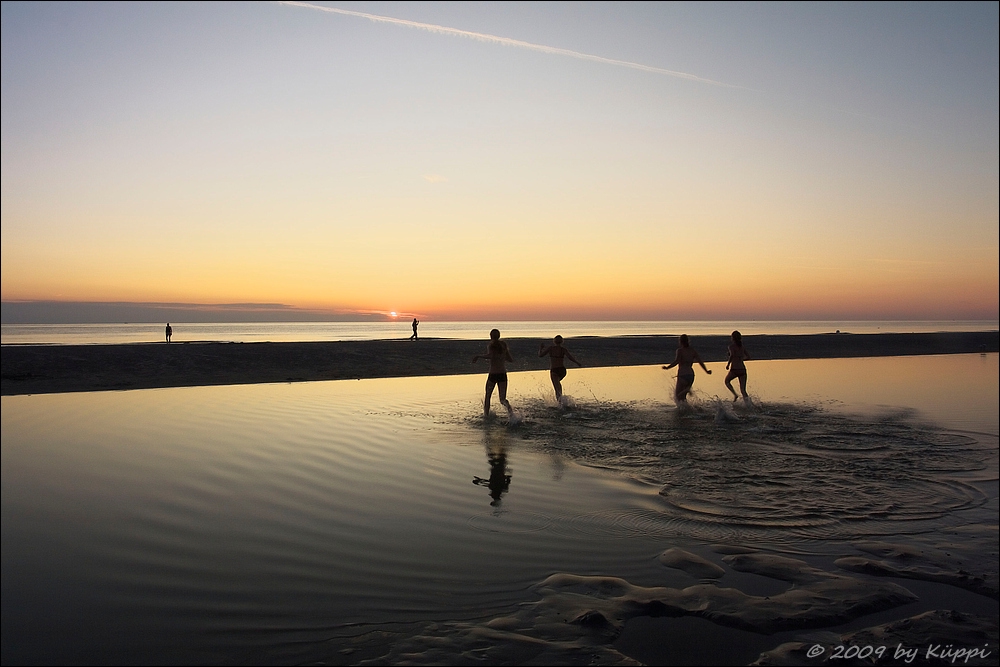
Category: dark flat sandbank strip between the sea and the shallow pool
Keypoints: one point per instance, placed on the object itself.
(44, 369)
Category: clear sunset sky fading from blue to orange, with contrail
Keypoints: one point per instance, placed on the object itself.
(512, 161)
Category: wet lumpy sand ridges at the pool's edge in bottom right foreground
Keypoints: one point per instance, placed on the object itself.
(578, 619)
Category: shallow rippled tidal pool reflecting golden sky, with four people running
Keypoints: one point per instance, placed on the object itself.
(342, 522)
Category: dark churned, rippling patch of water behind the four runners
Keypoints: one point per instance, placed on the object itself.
(787, 472)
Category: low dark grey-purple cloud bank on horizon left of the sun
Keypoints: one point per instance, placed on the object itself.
(116, 312)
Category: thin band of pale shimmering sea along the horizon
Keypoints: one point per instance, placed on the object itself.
(88, 334)
